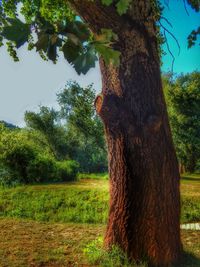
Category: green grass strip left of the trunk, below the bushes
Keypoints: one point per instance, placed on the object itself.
(62, 203)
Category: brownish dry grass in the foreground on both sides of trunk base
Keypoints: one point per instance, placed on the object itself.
(33, 244)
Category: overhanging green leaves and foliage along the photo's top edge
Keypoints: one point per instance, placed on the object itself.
(52, 27)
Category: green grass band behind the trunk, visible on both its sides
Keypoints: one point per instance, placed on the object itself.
(83, 202)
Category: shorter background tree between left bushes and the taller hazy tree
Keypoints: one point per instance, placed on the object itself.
(46, 121)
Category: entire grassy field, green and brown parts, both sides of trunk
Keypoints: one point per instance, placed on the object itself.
(50, 225)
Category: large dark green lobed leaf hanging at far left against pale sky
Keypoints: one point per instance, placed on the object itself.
(16, 31)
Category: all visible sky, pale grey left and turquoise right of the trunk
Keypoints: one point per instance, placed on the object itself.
(32, 82)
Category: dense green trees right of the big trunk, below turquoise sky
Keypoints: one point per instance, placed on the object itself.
(183, 98)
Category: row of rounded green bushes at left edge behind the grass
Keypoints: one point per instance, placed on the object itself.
(21, 161)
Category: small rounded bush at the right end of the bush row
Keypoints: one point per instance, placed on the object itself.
(66, 170)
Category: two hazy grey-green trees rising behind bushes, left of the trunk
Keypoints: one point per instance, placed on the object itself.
(75, 131)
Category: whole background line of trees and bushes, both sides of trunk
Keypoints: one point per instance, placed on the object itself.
(57, 144)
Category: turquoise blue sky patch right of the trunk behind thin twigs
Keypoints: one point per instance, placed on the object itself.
(188, 59)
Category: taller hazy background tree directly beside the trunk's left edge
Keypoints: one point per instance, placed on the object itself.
(85, 133)
